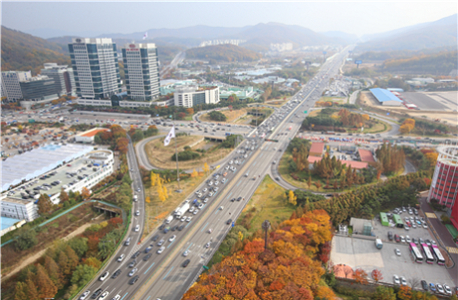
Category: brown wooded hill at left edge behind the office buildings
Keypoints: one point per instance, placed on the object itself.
(23, 52)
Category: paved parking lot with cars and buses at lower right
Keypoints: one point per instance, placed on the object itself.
(362, 253)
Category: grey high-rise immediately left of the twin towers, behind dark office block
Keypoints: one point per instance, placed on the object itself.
(63, 77)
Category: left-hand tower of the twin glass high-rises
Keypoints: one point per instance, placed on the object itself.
(95, 67)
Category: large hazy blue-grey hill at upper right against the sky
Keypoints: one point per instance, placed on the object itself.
(440, 33)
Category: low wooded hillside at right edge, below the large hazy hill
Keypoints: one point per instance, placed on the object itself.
(437, 64)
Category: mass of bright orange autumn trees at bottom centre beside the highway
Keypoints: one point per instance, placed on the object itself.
(290, 268)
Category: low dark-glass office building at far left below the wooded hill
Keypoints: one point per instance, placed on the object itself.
(39, 89)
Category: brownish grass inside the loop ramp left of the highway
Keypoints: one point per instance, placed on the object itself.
(161, 156)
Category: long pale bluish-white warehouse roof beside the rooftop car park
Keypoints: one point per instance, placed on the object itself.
(38, 161)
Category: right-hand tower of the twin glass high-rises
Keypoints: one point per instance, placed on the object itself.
(142, 71)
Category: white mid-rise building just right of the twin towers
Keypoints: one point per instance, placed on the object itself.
(189, 96)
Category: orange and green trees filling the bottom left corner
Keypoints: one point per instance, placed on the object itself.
(68, 265)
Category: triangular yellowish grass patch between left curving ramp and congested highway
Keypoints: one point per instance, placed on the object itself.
(156, 211)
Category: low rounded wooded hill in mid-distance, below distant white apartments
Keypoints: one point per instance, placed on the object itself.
(226, 53)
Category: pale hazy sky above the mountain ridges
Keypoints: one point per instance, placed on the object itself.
(122, 17)
